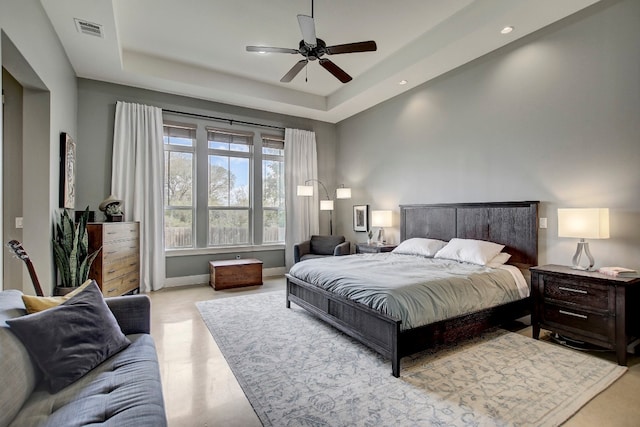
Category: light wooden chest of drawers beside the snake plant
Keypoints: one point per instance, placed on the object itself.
(116, 269)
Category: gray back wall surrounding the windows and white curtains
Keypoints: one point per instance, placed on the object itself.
(96, 103)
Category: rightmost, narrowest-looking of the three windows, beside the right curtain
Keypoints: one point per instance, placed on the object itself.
(273, 213)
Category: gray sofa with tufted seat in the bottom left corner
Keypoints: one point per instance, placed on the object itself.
(124, 390)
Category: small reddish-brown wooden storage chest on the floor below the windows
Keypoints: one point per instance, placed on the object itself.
(234, 273)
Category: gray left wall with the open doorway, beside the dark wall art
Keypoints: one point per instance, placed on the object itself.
(31, 52)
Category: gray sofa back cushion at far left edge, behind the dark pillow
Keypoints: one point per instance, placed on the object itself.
(18, 374)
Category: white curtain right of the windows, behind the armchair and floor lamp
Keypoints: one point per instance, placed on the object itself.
(301, 164)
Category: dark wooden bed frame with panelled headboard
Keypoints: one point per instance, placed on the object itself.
(513, 224)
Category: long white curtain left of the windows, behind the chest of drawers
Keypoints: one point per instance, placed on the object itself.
(136, 179)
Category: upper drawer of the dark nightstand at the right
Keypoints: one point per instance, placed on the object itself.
(580, 293)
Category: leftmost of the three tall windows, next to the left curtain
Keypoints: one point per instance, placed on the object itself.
(179, 152)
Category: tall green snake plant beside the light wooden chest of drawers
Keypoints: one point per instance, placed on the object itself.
(71, 251)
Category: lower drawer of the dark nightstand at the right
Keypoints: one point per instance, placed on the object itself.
(579, 320)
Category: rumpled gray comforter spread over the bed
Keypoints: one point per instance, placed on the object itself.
(415, 289)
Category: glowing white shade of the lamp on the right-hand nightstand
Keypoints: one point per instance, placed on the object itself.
(588, 223)
